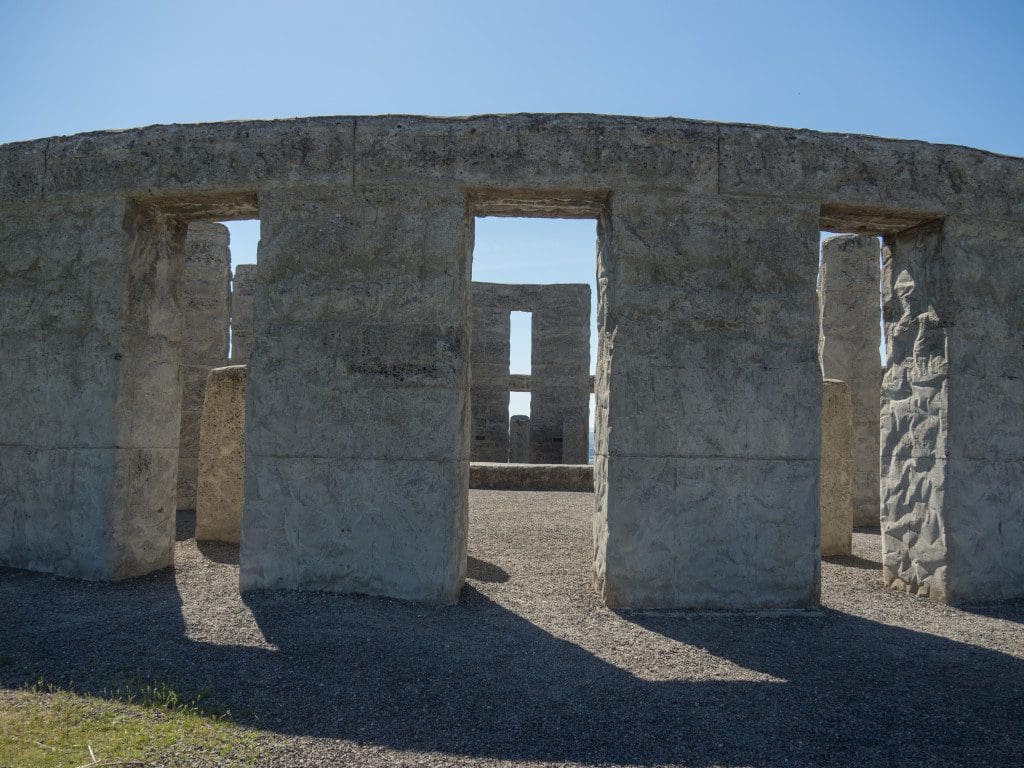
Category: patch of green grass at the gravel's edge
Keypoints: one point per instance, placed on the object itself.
(44, 727)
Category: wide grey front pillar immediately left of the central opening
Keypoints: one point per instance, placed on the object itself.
(357, 466)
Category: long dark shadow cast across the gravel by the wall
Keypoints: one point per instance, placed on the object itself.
(478, 680)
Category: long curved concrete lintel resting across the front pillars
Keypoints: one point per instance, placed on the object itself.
(863, 183)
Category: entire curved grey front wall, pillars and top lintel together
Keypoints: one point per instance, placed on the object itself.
(358, 423)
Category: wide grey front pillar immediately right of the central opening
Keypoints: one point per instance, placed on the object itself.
(709, 405)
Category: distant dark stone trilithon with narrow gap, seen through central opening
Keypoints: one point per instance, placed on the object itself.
(561, 363)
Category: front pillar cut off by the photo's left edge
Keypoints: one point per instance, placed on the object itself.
(91, 387)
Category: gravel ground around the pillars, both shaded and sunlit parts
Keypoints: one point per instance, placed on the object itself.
(531, 668)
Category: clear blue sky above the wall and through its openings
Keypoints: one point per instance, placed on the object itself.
(940, 71)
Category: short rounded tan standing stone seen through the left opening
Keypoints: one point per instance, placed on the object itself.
(222, 459)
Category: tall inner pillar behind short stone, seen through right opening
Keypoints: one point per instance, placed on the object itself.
(848, 301)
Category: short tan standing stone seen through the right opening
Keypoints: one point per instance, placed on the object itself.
(837, 468)
